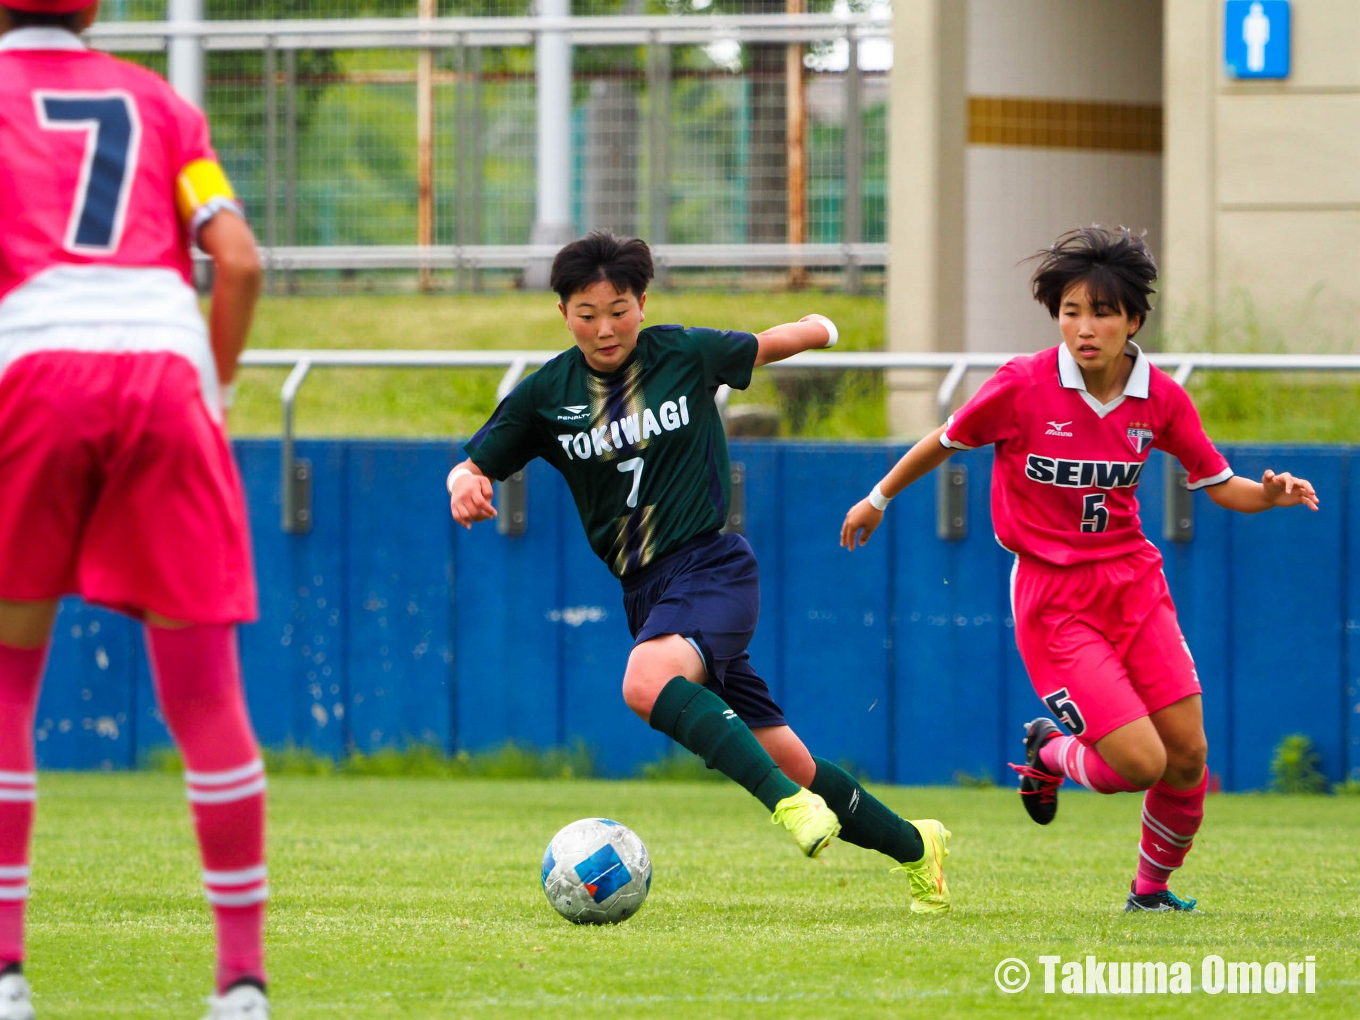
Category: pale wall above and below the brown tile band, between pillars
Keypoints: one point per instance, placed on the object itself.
(1022, 197)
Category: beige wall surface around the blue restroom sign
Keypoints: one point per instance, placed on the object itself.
(1263, 183)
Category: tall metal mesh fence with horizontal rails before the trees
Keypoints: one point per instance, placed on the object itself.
(697, 131)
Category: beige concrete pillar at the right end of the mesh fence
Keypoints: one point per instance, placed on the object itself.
(928, 133)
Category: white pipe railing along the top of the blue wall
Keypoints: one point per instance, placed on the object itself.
(296, 475)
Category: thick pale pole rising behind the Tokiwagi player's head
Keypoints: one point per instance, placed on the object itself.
(553, 78)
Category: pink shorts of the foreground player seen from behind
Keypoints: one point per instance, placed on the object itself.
(116, 485)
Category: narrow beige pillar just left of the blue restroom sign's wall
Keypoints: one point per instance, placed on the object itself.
(1189, 199)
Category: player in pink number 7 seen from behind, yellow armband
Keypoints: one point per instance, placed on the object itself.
(116, 477)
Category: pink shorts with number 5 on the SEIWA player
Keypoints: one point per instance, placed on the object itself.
(1101, 641)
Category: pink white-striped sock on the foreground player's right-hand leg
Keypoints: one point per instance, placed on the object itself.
(198, 675)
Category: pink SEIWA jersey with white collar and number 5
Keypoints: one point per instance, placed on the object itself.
(1067, 467)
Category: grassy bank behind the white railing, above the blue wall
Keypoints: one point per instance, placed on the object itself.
(448, 403)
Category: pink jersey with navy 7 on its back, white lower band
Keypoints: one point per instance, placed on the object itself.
(92, 157)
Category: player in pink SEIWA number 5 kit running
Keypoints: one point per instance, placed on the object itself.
(1095, 625)
